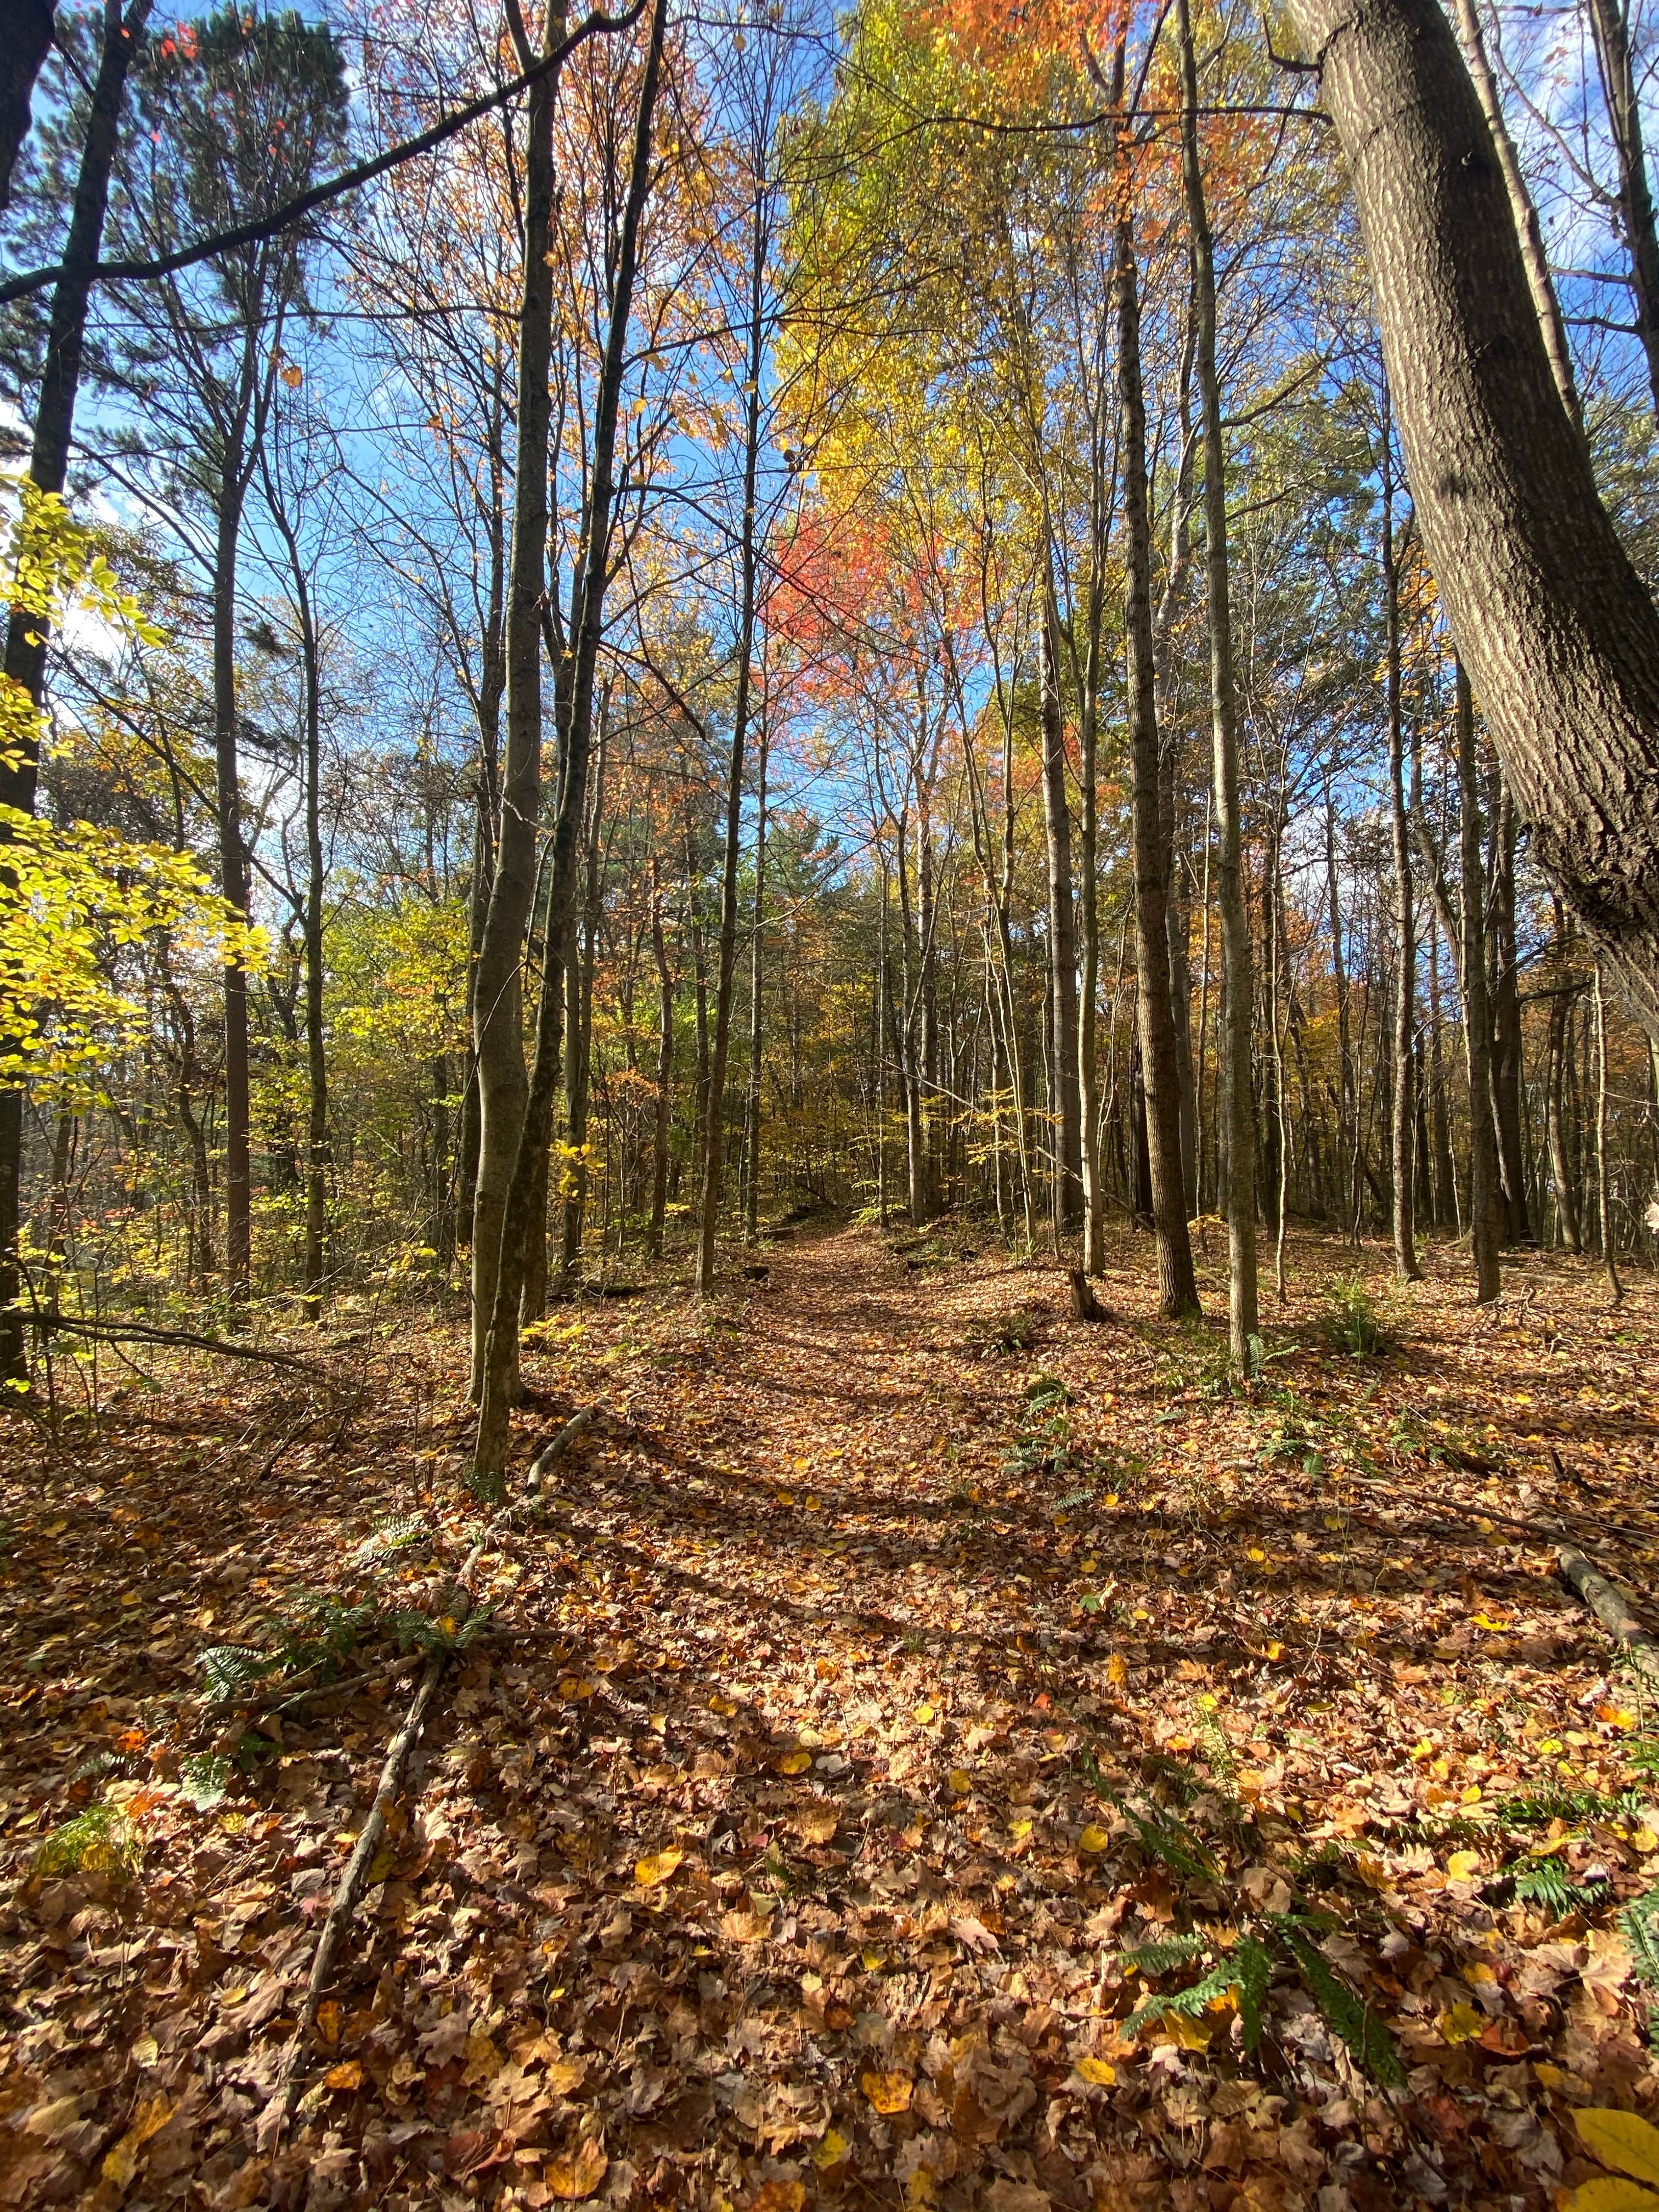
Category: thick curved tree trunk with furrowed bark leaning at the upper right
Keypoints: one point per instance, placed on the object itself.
(1558, 632)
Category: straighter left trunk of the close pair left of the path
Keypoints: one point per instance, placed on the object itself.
(499, 990)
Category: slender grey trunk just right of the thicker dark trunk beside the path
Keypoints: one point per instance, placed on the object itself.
(1238, 981)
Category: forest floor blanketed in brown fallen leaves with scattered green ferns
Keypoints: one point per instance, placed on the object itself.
(888, 1667)
